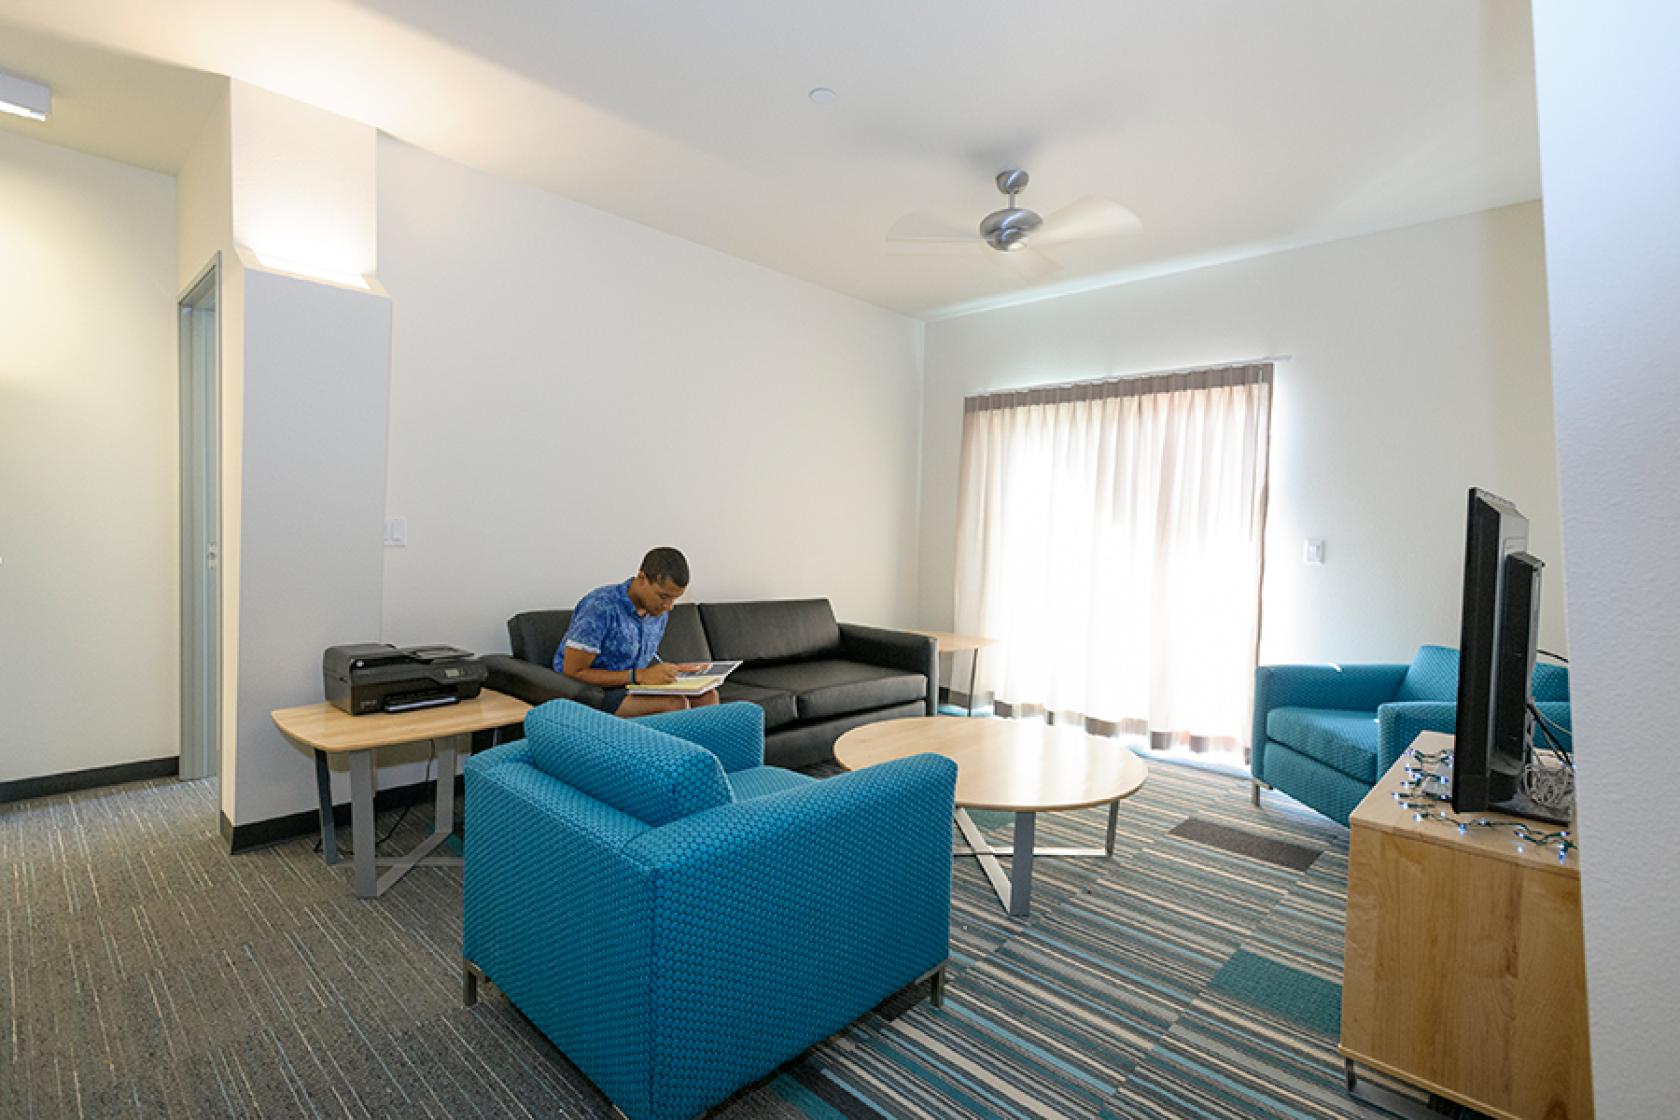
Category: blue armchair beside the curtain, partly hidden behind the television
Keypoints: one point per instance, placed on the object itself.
(1326, 733)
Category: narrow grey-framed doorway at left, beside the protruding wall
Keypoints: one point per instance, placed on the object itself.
(201, 355)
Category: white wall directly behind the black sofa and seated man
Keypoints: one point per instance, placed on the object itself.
(570, 389)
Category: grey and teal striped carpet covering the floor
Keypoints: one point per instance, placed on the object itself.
(150, 975)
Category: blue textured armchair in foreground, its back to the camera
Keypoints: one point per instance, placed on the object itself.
(680, 918)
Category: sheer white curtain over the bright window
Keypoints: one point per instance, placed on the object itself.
(1110, 536)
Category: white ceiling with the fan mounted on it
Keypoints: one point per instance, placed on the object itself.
(1231, 127)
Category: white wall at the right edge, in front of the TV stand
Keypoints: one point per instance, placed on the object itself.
(1610, 165)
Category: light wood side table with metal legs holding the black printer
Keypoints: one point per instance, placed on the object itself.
(325, 730)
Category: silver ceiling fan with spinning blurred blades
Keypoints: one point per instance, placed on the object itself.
(1019, 233)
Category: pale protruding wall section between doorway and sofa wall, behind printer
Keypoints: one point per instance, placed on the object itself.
(317, 362)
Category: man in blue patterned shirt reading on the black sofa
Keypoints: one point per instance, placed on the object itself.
(616, 634)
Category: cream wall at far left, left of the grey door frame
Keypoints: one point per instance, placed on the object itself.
(88, 463)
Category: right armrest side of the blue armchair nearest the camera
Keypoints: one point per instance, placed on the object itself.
(794, 914)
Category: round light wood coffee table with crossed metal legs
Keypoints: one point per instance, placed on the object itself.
(1016, 767)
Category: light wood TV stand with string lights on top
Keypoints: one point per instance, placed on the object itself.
(1464, 971)
